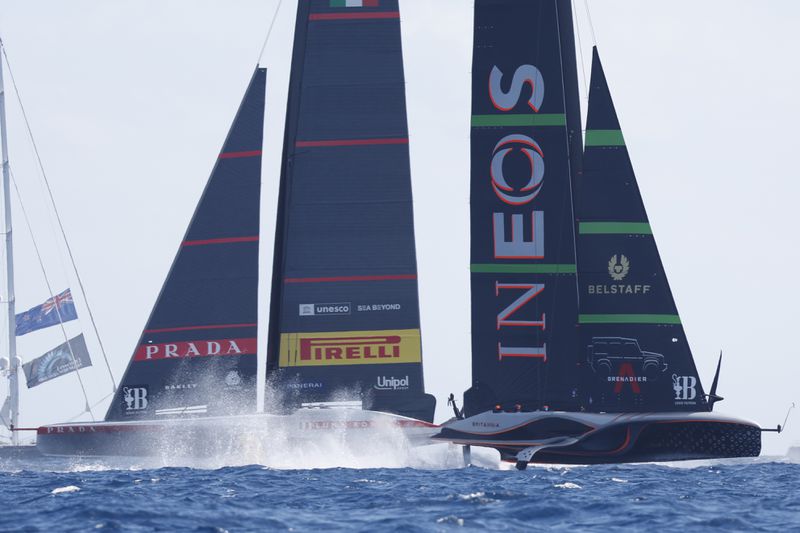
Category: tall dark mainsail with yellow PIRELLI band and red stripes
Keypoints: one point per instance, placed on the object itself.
(344, 318)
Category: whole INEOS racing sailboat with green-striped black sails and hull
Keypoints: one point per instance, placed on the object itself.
(578, 352)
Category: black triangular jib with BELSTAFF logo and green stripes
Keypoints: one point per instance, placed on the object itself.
(636, 355)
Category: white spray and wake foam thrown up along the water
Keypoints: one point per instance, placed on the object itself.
(315, 439)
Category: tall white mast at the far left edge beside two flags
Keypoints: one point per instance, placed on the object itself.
(7, 296)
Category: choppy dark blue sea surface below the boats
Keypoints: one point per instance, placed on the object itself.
(752, 495)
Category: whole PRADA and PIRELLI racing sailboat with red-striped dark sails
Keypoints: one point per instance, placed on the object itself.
(343, 343)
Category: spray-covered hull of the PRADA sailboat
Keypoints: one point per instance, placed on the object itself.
(217, 436)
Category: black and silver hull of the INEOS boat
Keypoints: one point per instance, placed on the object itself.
(602, 438)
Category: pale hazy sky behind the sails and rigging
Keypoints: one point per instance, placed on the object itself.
(130, 102)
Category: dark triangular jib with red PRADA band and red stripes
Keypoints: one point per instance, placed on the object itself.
(197, 354)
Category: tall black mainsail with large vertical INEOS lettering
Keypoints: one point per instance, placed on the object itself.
(525, 147)
